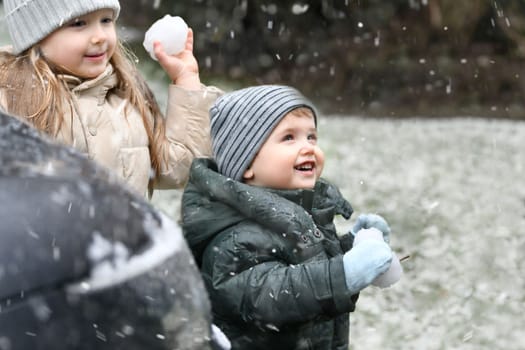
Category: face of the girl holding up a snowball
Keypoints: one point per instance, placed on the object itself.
(83, 46)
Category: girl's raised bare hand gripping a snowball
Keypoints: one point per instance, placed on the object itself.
(182, 68)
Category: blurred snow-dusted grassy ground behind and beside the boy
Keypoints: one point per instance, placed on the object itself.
(454, 195)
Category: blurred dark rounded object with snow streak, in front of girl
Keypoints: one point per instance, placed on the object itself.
(85, 264)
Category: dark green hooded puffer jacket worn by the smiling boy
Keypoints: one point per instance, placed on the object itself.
(271, 260)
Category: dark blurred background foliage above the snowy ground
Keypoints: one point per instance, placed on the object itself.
(386, 58)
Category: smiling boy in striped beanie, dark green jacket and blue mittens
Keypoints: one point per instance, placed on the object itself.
(259, 220)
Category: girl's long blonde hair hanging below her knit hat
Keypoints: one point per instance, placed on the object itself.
(32, 90)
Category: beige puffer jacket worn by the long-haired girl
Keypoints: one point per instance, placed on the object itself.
(100, 129)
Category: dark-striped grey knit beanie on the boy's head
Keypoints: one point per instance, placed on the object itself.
(242, 120)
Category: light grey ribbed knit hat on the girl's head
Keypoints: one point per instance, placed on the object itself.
(29, 21)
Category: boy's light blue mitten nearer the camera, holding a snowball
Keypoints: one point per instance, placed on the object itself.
(365, 261)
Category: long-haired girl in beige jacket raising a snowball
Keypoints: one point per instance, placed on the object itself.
(70, 76)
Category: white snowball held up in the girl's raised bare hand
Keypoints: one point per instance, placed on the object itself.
(170, 31)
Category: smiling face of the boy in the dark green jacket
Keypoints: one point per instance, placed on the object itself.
(290, 158)
